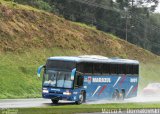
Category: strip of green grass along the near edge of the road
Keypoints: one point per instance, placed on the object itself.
(71, 109)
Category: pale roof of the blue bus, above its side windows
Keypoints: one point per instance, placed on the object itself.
(94, 59)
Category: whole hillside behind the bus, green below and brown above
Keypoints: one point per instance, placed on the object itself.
(28, 36)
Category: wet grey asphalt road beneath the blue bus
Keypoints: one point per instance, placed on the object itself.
(39, 102)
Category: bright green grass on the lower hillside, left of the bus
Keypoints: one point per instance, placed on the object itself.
(18, 77)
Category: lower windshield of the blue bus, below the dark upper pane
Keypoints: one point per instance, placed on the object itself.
(57, 79)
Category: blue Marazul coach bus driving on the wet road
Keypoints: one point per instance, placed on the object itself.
(89, 77)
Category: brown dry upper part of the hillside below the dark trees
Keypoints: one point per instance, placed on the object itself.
(23, 29)
